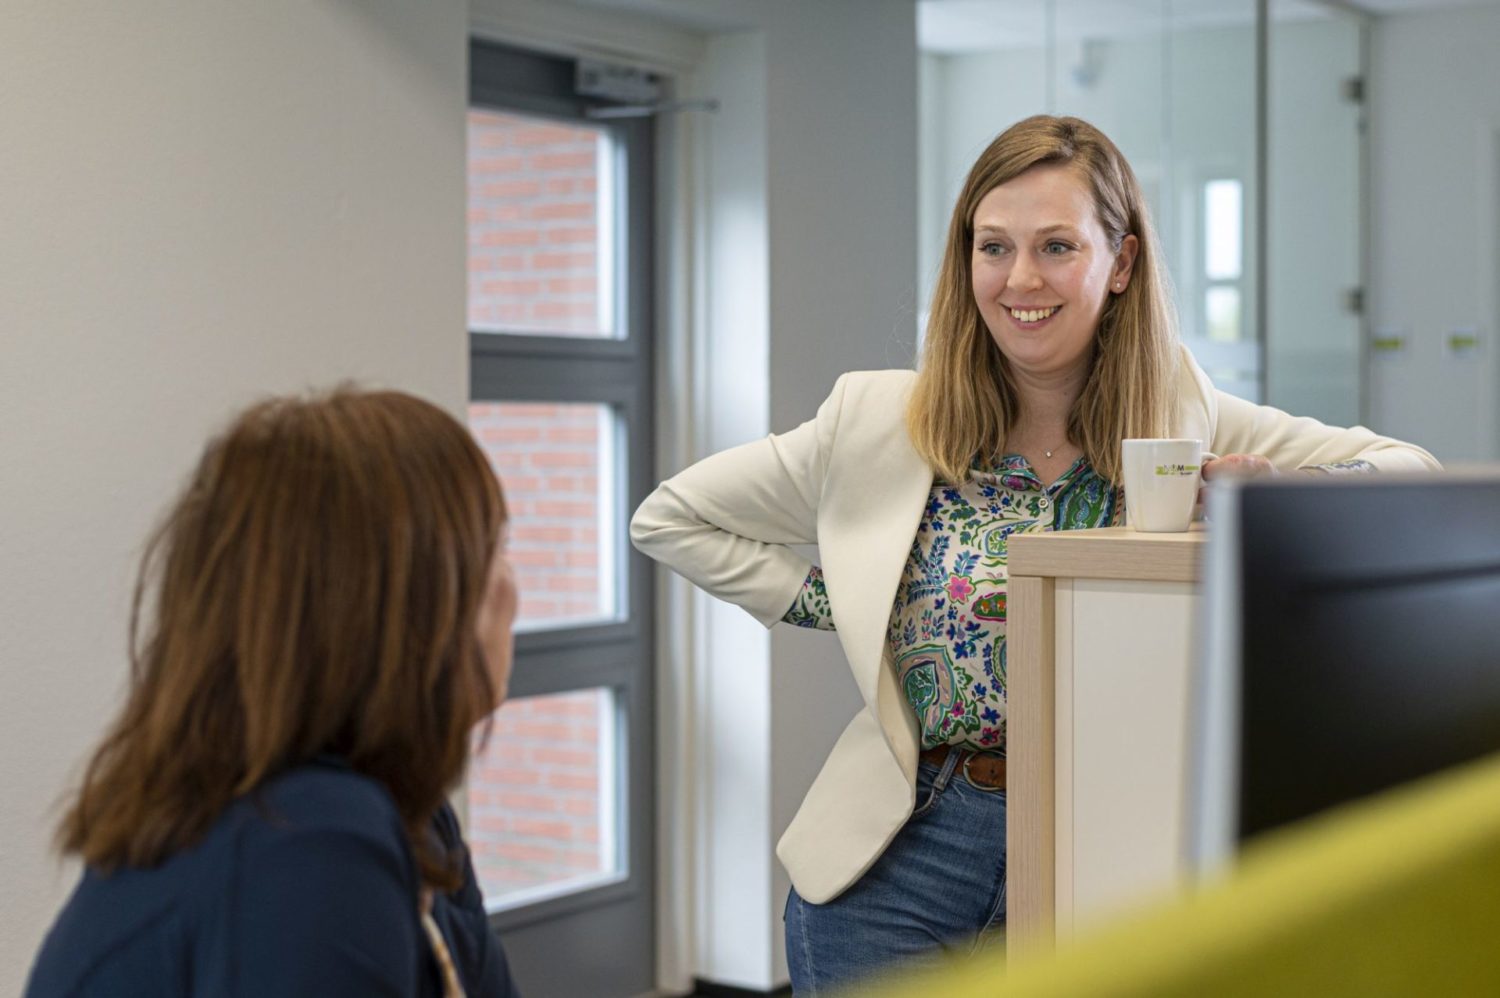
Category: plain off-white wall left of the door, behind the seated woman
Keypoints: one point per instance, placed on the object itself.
(202, 203)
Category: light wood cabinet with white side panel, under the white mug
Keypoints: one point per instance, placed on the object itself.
(1100, 643)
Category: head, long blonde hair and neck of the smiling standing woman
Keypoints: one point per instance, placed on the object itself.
(1051, 217)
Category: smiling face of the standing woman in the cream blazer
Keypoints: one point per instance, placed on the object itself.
(1043, 268)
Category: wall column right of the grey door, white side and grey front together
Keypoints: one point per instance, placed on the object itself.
(811, 250)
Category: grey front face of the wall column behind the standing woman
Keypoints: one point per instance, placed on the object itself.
(842, 145)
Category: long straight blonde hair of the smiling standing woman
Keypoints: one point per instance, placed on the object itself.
(965, 400)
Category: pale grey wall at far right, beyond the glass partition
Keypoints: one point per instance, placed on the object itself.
(1436, 205)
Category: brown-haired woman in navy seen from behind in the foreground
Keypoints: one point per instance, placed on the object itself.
(269, 816)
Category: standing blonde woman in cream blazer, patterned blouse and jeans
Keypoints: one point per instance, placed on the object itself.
(1051, 341)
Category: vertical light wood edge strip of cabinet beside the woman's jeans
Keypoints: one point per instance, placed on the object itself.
(1031, 750)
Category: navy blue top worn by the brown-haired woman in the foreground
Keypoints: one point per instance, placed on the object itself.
(305, 888)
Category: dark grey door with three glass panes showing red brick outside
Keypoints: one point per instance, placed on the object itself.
(560, 799)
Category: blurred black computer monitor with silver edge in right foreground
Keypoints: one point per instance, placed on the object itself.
(1349, 642)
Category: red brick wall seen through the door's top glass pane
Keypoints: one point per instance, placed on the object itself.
(533, 226)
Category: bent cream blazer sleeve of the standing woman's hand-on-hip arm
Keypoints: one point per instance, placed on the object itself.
(727, 523)
